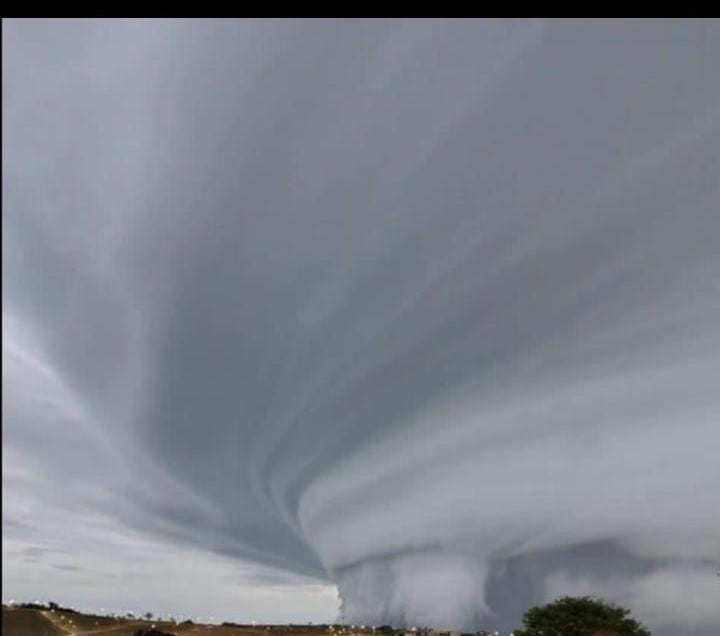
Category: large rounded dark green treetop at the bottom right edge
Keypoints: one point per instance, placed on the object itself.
(583, 616)
